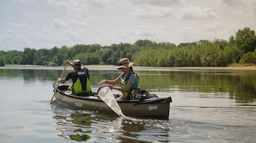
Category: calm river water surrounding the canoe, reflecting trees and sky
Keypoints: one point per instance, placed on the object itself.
(213, 106)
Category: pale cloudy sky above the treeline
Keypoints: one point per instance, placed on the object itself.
(47, 23)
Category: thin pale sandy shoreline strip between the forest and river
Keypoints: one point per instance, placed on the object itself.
(137, 68)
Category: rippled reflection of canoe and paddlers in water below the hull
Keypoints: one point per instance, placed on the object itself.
(81, 125)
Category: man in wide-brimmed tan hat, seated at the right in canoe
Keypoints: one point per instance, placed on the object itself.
(128, 80)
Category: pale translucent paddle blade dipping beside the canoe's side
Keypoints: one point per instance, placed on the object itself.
(107, 96)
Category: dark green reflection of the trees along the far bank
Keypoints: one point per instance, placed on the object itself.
(240, 86)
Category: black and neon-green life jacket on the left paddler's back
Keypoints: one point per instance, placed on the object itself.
(82, 83)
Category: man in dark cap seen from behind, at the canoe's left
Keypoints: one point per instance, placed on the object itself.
(80, 77)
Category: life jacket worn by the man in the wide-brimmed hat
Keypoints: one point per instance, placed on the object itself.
(124, 80)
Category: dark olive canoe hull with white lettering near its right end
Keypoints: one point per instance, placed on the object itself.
(157, 108)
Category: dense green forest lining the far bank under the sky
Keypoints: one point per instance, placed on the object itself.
(240, 48)
